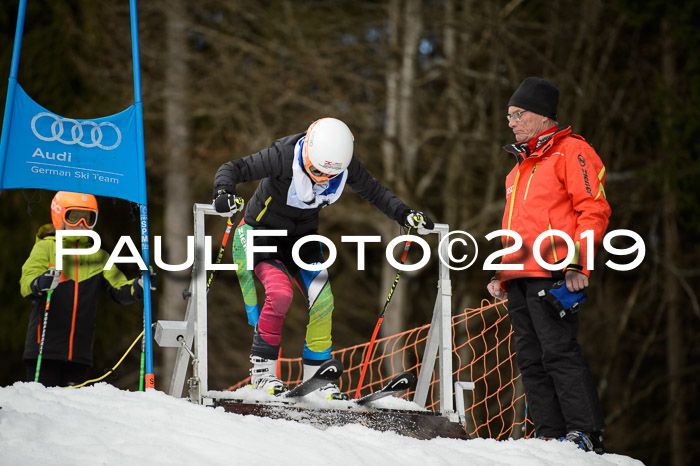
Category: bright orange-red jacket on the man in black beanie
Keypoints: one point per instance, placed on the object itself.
(557, 183)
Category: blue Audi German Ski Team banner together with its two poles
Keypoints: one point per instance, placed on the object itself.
(104, 156)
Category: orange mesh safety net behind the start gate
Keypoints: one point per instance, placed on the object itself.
(483, 353)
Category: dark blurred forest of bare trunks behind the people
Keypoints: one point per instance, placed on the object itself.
(424, 87)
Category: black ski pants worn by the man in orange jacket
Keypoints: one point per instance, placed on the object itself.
(559, 387)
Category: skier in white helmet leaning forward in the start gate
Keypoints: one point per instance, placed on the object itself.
(300, 174)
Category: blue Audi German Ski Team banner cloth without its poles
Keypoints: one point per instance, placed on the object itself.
(47, 151)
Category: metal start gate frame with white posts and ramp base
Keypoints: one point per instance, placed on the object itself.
(190, 337)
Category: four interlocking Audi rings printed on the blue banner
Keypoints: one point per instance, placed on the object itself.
(77, 130)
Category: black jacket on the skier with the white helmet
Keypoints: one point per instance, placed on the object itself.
(268, 207)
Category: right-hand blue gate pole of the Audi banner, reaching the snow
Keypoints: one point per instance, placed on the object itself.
(149, 378)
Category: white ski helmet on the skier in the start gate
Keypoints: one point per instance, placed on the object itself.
(328, 149)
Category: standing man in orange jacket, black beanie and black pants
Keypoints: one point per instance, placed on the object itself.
(557, 183)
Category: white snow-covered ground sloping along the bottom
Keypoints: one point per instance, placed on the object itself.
(103, 425)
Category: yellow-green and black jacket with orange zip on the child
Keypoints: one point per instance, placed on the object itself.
(73, 308)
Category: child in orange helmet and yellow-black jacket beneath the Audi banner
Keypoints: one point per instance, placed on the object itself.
(70, 323)
